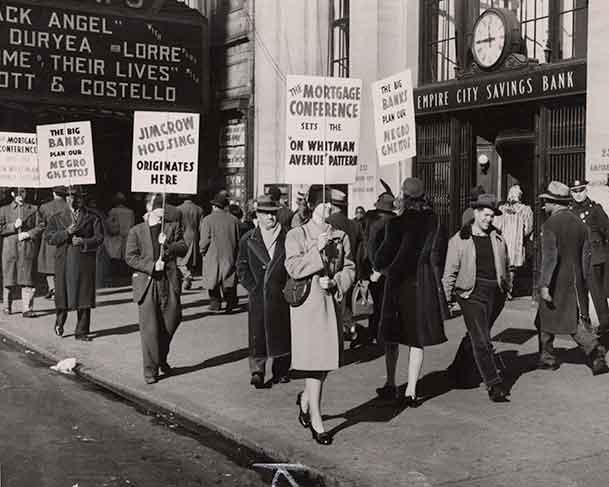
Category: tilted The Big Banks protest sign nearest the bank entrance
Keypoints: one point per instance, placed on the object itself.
(394, 118)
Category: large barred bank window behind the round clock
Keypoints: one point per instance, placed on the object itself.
(553, 30)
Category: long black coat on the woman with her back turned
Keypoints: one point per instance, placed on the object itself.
(412, 254)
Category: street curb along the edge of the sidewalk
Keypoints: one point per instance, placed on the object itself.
(237, 447)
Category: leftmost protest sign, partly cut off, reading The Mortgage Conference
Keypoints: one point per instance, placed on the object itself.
(19, 160)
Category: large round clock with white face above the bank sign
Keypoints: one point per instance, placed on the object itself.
(495, 34)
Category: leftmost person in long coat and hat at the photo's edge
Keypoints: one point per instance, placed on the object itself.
(20, 228)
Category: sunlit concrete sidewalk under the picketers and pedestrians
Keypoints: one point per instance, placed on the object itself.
(555, 432)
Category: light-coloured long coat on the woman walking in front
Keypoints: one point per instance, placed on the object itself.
(316, 325)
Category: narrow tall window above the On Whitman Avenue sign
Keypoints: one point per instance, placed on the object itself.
(339, 38)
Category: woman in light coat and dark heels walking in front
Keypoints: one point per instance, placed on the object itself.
(322, 254)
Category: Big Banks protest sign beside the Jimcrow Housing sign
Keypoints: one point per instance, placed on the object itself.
(65, 154)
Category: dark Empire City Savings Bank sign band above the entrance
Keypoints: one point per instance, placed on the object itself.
(506, 87)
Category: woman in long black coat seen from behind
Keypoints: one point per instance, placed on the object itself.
(414, 307)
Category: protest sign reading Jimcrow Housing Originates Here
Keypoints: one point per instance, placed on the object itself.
(165, 152)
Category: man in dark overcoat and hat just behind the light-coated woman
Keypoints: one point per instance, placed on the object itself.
(261, 270)
